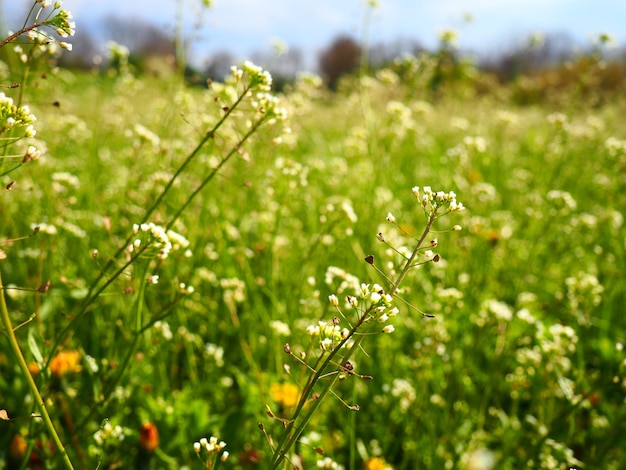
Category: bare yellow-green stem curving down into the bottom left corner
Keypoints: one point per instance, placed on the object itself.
(6, 322)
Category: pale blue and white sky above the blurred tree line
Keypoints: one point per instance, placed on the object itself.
(246, 26)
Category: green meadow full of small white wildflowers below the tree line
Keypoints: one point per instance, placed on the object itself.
(392, 276)
